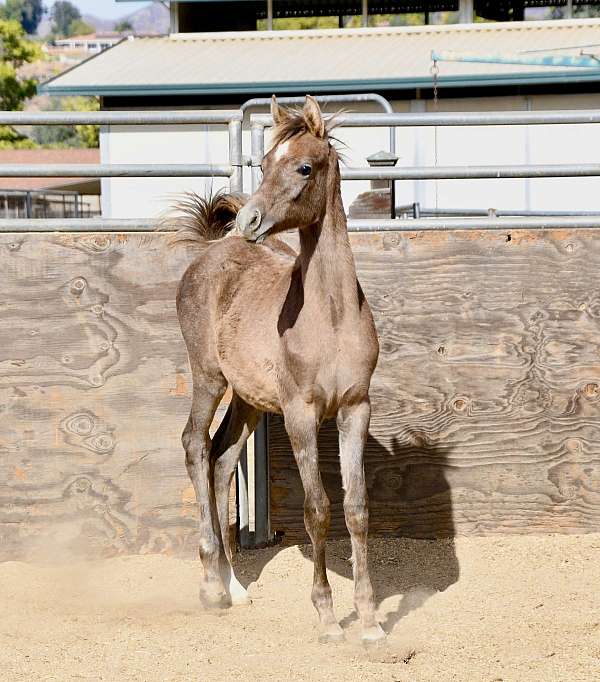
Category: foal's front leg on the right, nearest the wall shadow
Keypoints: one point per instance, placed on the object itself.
(353, 426)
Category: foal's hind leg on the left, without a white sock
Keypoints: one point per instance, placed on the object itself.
(208, 391)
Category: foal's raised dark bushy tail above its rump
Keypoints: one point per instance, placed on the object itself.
(199, 220)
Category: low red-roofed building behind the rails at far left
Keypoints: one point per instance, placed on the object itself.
(49, 197)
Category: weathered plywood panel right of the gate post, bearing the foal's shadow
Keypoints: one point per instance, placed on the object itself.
(486, 398)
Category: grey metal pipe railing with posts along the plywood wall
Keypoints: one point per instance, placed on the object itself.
(233, 170)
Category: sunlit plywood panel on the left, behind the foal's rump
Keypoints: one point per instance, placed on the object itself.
(94, 394)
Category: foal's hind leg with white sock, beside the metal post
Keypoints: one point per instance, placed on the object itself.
(233, 432)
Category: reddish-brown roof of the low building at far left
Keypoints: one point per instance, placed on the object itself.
(32, 156)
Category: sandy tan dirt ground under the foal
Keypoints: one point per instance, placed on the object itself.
(491, 609)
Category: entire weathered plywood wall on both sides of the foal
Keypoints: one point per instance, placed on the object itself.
(486, 399)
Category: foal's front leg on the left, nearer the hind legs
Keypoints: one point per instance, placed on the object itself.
(302, 427)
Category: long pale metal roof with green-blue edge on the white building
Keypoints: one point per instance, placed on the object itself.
(363, 59)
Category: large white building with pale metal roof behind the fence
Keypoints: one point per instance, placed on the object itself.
(217, 69)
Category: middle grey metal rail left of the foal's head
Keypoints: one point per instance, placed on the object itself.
(88, 170)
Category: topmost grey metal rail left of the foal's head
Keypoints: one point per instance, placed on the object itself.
(118, 117)
